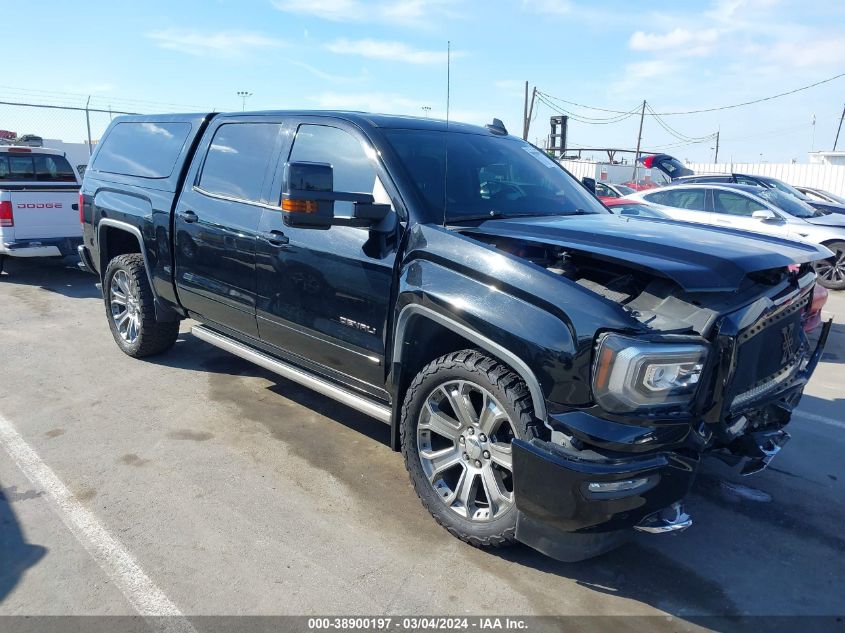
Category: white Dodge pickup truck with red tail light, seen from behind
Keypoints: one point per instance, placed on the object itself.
(39, 204)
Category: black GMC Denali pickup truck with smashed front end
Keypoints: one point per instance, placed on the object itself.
(552, 373)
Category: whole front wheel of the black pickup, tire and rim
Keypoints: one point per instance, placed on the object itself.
(459, 416)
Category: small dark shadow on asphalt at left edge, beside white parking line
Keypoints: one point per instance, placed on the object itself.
(16, 555)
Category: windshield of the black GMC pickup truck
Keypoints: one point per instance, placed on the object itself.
(489, 176)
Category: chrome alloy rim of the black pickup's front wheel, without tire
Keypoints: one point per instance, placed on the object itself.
(464, 437)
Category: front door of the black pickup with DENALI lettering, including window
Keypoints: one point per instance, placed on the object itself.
(323, 295)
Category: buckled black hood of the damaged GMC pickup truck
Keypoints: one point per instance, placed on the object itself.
(697, 258)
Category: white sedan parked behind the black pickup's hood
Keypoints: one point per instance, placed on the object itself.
(756, 209)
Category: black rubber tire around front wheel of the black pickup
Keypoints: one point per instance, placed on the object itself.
(511, 394)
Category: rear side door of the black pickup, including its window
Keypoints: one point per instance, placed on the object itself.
(217, 218)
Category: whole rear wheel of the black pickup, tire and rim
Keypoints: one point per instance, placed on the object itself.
(130, 308)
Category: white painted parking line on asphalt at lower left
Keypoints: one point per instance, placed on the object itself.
(147, 599)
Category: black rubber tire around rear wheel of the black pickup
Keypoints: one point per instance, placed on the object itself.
(153, 337)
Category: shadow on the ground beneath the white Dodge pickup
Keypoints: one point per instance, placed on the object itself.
(54, 275)
